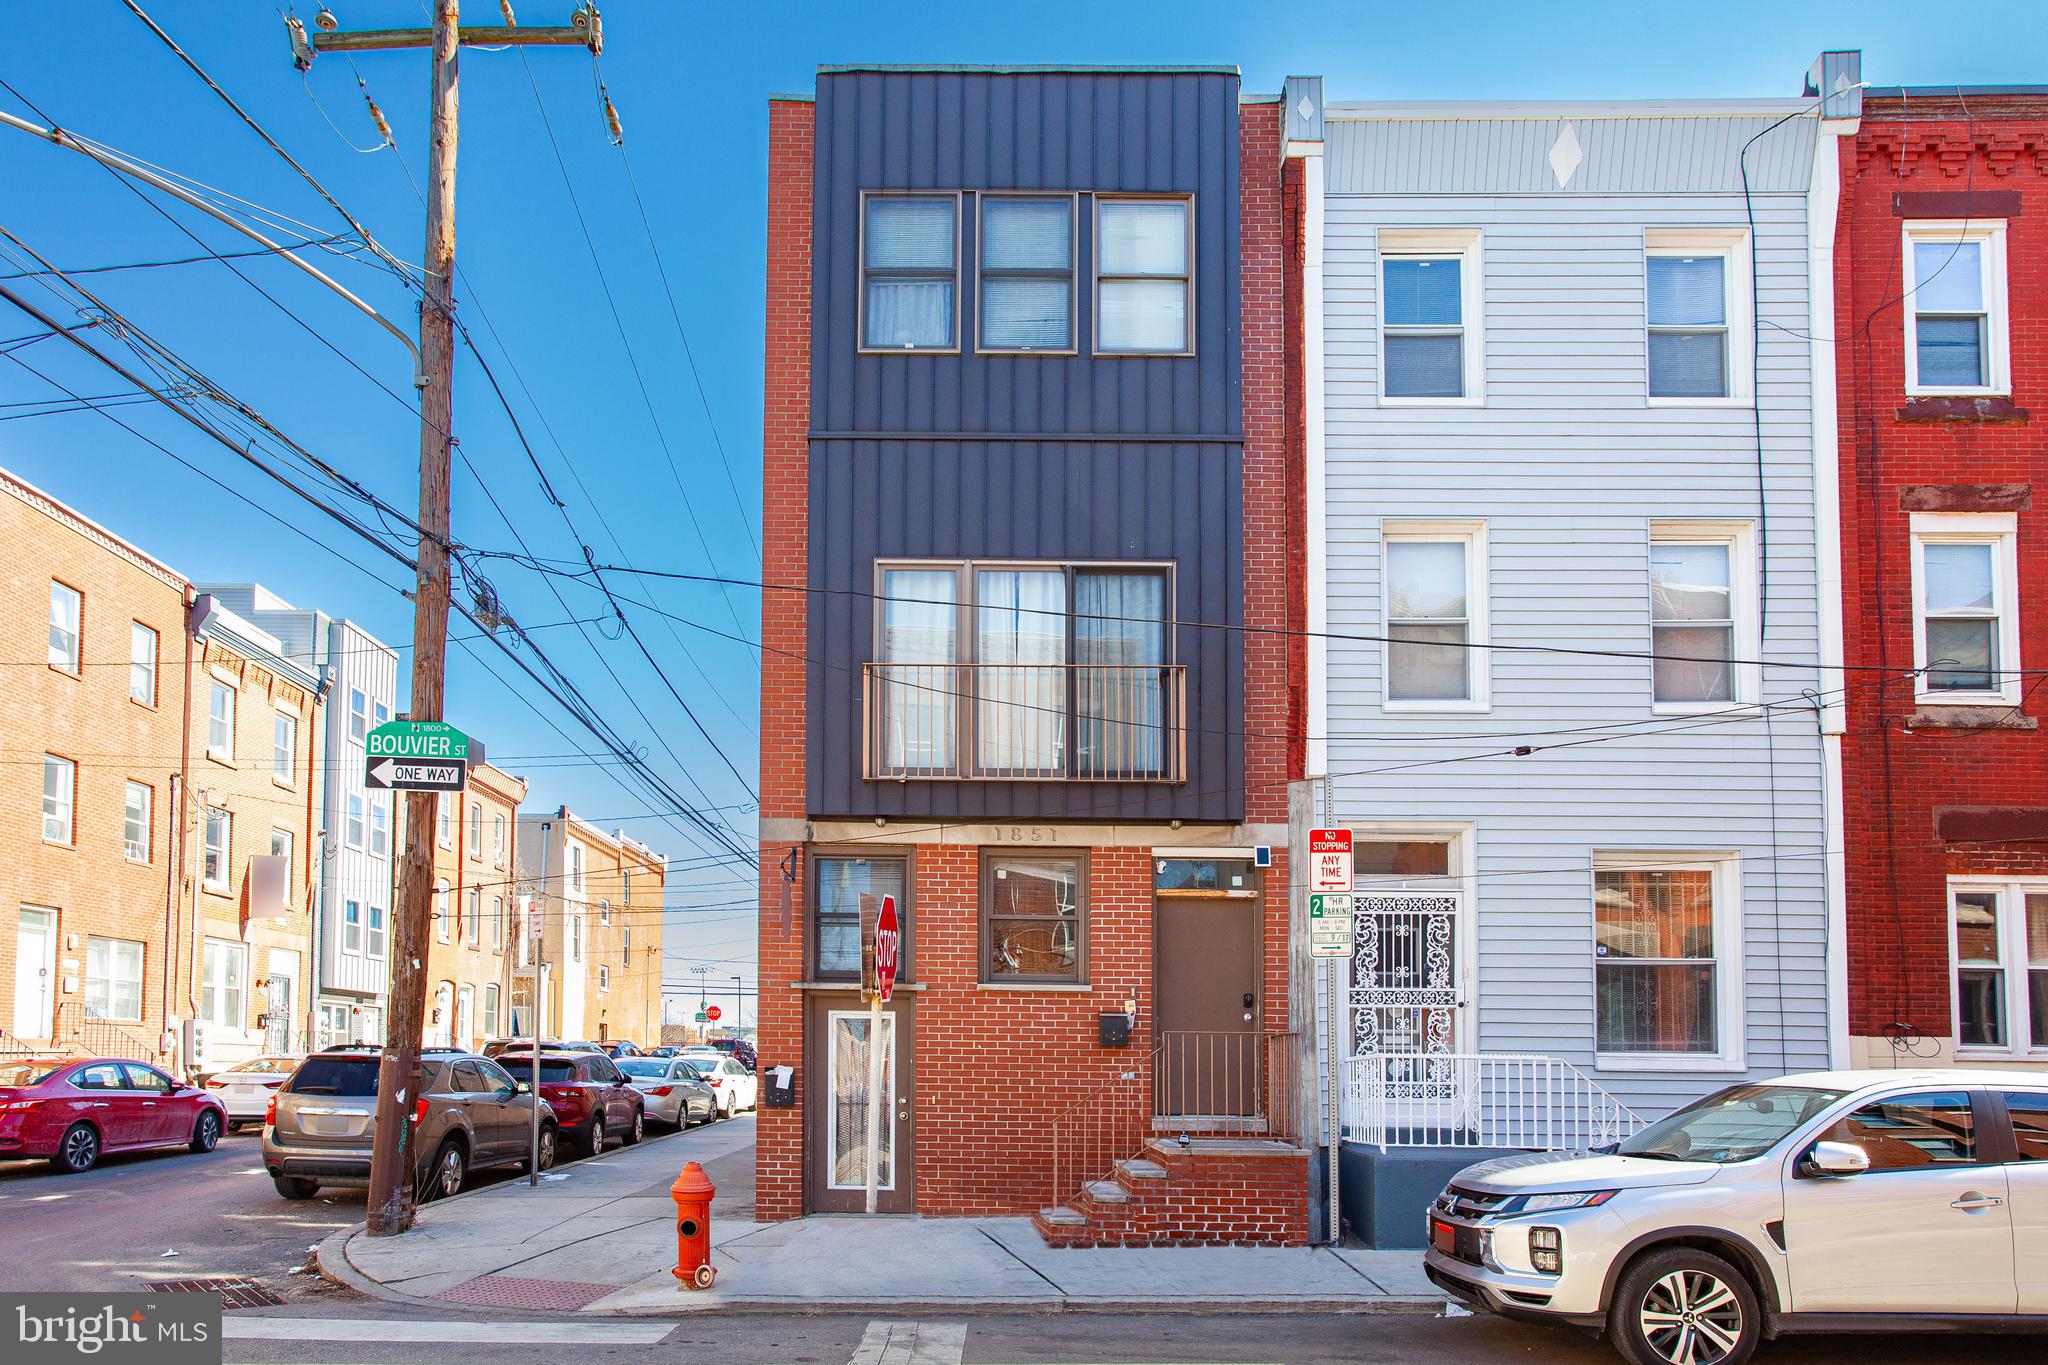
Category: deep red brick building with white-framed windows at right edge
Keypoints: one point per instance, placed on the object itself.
(1943, 380)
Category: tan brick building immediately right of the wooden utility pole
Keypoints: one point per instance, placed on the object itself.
(476, 879)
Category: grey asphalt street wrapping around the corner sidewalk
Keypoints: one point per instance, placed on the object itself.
(112, 1227)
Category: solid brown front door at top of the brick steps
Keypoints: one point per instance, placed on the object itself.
(1207, 1006)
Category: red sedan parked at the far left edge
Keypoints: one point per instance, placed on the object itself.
(77, 1110)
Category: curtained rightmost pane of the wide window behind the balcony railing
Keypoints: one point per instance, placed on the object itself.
(1119, 640)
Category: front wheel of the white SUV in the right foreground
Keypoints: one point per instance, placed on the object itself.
(1684, 1307)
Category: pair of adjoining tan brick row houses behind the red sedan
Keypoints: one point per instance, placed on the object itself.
(165, 871)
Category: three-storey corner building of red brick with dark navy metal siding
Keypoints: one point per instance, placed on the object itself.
(1027, 447)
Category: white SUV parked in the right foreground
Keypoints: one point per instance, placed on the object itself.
(1809, 1204)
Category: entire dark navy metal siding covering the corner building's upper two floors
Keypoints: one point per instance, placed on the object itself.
(1064, 500)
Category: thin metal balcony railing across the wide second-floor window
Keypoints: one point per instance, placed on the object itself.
(1025, 721)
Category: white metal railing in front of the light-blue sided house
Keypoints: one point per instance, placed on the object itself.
(1502, 1100)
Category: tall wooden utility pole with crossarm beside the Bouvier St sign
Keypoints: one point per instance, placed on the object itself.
(392, 1157)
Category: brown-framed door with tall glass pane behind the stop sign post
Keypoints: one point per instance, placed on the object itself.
(837, 1104)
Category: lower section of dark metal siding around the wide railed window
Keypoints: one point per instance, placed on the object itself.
(1019, 500)
